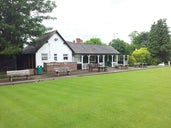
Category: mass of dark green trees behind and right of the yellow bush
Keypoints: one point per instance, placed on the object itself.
(157, 41)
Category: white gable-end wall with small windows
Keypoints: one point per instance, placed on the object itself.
(53, 47)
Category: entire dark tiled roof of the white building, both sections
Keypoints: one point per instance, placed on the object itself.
(76, 48)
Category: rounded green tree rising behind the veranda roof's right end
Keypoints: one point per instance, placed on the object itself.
(120, 46)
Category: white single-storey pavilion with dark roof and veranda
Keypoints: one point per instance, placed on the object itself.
(52, 47)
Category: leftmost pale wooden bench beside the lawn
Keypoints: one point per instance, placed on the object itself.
(16, 73)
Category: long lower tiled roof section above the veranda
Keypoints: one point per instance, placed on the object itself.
(91, 49)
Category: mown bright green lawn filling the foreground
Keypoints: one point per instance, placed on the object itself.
(137, 99)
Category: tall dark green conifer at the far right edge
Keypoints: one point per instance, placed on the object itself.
(159, 40)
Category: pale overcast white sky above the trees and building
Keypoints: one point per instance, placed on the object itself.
(107, 19)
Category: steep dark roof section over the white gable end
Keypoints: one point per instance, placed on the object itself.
(39, 42)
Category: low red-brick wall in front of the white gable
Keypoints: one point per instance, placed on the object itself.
(49, 67)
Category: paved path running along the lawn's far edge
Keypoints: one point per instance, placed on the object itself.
(52, 76)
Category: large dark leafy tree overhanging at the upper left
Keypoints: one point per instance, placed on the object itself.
(20, 21)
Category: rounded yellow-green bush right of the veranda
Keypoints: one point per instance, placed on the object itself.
(142, 55)
